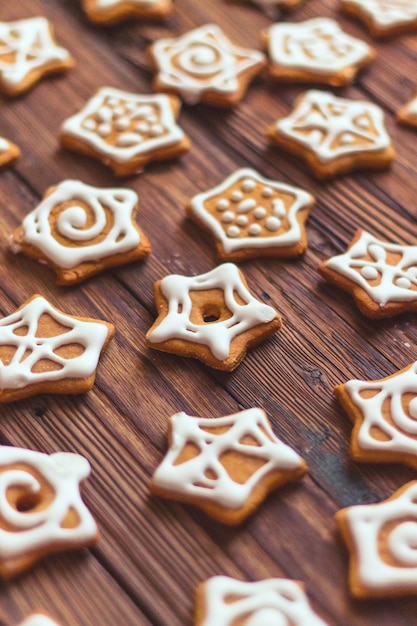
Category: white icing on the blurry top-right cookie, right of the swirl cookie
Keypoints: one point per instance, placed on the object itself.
(316, 45)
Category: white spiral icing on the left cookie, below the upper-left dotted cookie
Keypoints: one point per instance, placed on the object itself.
(70, 224)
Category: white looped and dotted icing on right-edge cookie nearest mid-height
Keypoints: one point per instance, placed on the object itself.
(396, 281)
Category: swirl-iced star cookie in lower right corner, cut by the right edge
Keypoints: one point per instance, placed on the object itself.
(381, 541)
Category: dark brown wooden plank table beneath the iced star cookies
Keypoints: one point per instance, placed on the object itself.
(153, 553)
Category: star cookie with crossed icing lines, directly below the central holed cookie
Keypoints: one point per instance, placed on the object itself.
(226, 466)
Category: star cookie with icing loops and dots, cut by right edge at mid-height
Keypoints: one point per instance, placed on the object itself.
(381, 276)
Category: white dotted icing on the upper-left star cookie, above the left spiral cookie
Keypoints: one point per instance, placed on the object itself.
(130, 144)
